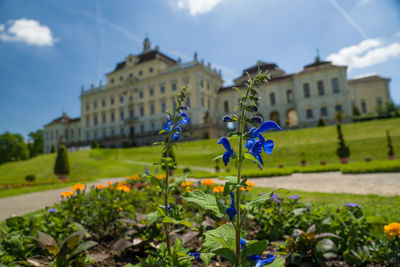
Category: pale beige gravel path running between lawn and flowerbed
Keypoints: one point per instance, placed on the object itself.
(384, 184)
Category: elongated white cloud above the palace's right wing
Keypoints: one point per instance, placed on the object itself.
(367, 53)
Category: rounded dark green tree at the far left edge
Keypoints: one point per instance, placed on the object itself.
(12, 147)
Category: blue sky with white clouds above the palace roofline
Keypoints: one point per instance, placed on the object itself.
(49, 49)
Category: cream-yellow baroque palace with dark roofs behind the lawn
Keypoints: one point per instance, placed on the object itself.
(130, 108)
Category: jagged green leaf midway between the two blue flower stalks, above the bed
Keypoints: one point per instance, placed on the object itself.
(206, 201)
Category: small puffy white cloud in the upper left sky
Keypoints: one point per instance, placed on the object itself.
(27, 31)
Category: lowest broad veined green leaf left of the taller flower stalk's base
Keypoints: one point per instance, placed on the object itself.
(213, 241)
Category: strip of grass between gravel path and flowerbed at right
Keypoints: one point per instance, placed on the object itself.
(377, 209)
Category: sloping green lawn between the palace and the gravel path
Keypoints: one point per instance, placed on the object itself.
(366, 139)
